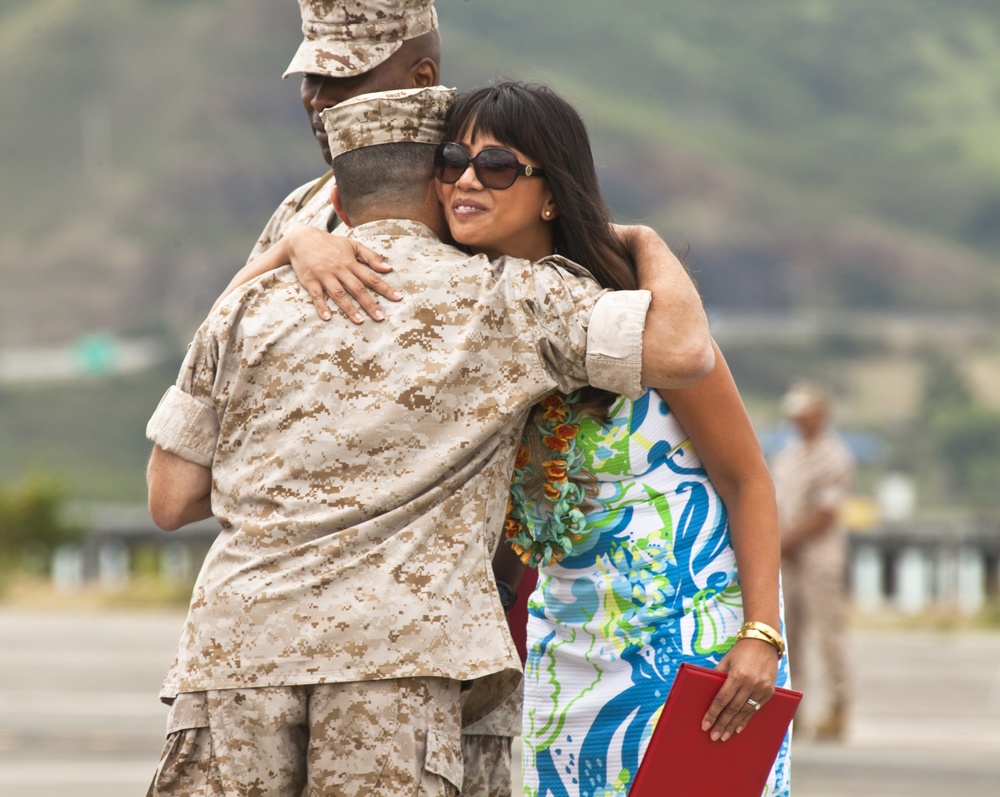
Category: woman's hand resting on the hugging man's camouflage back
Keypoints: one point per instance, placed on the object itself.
(341, 268)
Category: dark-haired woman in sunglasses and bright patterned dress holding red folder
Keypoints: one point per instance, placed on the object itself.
(652, 523)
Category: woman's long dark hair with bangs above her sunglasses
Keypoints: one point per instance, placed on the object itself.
(532, 118)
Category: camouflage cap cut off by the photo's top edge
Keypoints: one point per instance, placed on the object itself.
(349, 37)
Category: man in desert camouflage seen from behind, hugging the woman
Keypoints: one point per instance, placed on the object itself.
(357, 472)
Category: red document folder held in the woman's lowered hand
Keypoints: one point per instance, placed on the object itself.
(682, 760)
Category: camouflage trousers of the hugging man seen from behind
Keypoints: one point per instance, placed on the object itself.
(371, 738)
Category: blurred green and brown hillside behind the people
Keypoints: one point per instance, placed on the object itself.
(831, 168)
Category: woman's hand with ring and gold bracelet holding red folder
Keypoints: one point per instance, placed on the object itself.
(752, 668)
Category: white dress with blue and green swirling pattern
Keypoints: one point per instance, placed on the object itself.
(651, 582)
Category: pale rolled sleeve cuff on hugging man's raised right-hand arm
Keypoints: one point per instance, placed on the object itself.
(614, 342)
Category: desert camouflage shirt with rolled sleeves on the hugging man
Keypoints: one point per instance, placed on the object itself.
(360, 472)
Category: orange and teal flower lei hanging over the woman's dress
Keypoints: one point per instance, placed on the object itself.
(536, 542)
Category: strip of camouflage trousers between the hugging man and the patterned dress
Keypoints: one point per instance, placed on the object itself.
(486, 747)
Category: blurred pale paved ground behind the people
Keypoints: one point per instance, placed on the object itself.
(78, 713)
